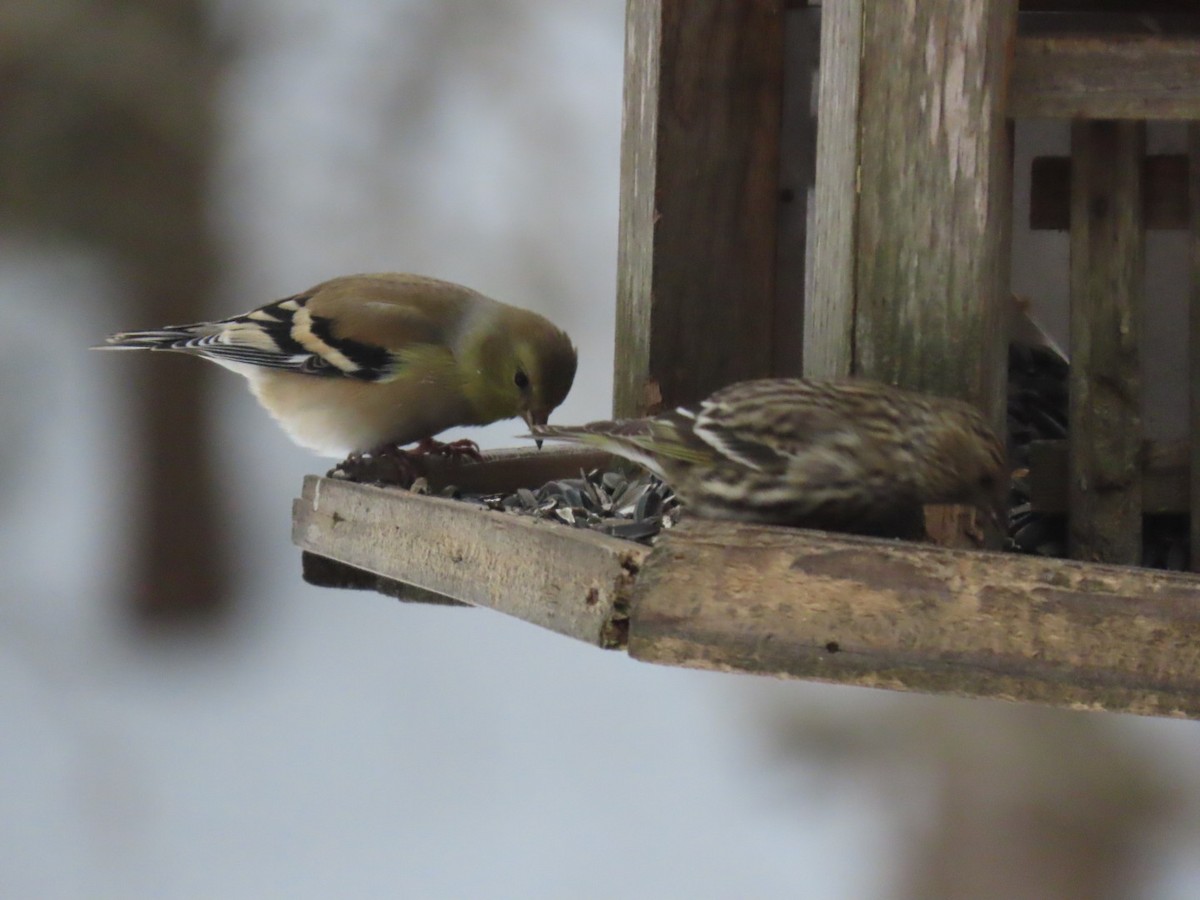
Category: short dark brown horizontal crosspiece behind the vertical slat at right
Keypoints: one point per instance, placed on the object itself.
(1165, 182)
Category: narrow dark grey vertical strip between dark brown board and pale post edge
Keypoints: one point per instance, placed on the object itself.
(797, 178)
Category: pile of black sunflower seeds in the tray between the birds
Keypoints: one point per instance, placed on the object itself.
(632, 507)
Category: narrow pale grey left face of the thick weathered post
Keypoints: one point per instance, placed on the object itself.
(830, 303)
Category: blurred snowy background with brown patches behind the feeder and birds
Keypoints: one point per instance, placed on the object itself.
(310, 743)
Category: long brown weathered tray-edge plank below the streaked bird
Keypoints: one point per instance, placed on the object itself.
(902, 616)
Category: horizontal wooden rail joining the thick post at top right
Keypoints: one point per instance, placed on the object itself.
(1107, 77)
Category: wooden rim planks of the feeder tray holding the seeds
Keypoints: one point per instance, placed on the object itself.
(781, 602)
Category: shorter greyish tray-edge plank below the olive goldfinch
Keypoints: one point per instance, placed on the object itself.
(567, 580)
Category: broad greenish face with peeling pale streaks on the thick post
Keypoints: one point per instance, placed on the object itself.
(935, 206)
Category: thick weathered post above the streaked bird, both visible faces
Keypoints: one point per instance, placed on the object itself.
(914, 197)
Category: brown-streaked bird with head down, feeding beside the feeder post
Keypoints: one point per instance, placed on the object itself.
(836, 455)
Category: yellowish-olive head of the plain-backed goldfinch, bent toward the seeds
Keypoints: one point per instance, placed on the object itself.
(525, 369)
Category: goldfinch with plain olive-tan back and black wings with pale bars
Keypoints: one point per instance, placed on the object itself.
(370, 362)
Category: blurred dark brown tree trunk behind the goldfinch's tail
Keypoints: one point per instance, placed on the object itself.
(133, 87)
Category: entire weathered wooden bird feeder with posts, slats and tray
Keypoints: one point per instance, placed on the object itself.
(755, 244)
